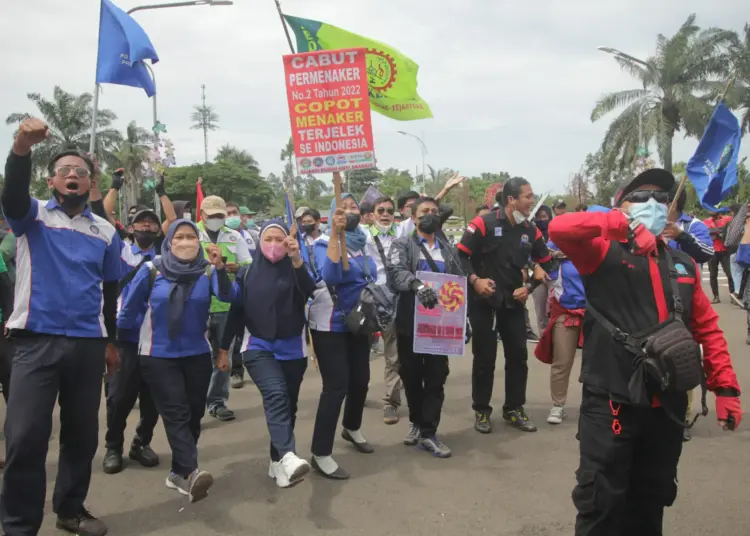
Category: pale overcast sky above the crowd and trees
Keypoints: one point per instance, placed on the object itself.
(511, 84)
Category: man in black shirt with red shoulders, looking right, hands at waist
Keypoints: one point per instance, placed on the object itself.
(494, 250)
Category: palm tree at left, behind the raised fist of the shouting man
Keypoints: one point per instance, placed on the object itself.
(69, 120)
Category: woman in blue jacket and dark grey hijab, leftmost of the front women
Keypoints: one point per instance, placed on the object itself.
(172, 295)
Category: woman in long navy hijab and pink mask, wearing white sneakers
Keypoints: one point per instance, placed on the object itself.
(270, 298)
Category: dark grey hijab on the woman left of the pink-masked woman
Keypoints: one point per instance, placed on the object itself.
(182, 276)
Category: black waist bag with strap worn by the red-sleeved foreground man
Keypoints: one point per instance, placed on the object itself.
(666, 359)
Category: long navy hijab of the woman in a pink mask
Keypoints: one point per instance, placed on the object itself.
(274, 308)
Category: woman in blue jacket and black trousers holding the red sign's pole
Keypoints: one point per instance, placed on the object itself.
(343, 357)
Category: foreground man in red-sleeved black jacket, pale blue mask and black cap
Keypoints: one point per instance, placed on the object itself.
(629, 448)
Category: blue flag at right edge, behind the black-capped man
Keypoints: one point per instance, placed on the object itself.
(713, 167)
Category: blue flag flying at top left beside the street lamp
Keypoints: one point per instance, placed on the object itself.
(123, 45)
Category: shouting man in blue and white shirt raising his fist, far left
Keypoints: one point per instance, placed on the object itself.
(62, 326)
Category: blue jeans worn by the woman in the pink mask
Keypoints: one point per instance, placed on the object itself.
(279, 382)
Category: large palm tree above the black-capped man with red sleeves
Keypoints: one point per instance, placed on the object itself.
(674, 95)
